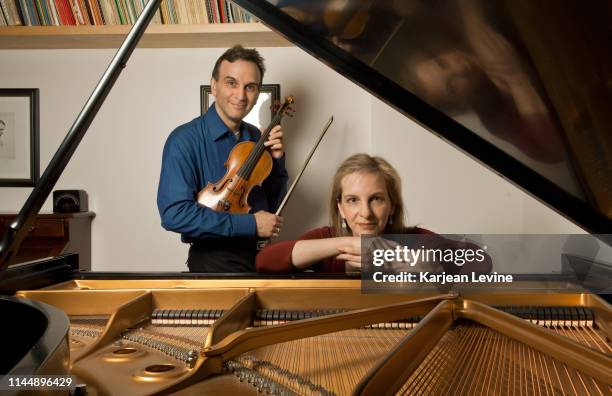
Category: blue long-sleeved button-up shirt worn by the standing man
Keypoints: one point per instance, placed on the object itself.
(194, 155)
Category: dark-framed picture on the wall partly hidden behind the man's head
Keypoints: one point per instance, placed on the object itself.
(260, 115)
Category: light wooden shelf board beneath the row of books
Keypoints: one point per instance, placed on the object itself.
(157, 36)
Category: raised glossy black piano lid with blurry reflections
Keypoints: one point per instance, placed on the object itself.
(524, 87)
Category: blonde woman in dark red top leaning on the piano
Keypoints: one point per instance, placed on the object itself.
(366, 200)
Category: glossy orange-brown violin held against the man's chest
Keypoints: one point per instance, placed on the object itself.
(248, 165)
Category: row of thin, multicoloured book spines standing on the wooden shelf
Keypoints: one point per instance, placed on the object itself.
(117, 12)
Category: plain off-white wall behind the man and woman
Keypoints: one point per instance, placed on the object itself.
(119, 160)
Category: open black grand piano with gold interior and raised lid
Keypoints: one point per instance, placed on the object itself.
(522, 86)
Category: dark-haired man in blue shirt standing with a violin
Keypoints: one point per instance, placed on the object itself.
(195, 155)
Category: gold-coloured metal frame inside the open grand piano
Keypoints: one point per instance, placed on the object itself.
(141, 369)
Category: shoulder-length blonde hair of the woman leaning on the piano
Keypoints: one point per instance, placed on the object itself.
(364, 163)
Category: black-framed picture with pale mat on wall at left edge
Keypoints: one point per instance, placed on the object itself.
(19, 137)
